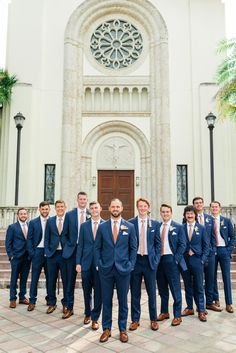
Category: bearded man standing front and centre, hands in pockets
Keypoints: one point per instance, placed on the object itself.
(115, 255)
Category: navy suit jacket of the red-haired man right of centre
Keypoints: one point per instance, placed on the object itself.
(153, 241)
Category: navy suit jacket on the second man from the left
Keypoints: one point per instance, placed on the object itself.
(34, 235)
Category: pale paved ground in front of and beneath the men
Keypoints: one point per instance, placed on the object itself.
(30, 332)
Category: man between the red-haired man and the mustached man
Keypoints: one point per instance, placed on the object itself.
(168, 273)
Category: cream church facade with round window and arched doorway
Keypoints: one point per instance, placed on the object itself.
(115, 94)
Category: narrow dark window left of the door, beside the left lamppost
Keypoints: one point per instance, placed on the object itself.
(49, 182)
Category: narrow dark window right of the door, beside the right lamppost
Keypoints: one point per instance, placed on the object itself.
(182, 184)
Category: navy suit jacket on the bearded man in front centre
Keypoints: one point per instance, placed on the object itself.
(121, 254)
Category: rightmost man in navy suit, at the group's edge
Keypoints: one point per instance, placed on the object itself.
(225, 241)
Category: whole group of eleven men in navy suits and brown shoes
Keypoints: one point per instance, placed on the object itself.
(119, 254)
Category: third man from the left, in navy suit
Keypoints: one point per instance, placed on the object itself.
(54, 243)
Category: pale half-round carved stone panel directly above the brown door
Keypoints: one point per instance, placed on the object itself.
(115, 153)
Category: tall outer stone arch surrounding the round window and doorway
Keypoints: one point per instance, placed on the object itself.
(145, 13)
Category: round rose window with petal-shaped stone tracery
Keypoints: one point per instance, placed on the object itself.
(116, 44)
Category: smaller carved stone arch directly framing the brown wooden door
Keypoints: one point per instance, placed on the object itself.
(126, 129)
